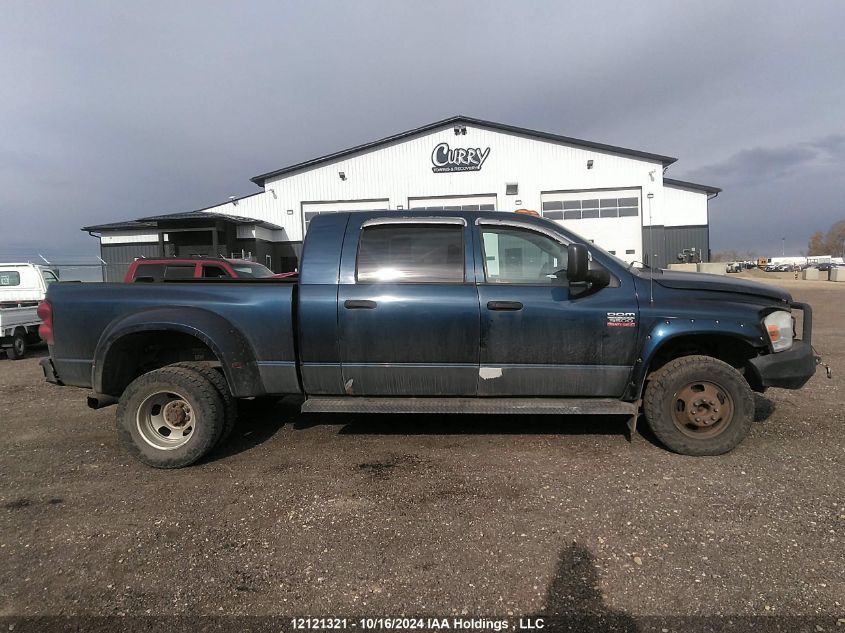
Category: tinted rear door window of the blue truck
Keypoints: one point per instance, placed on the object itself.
(421, 253)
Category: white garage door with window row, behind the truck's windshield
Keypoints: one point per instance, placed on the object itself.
(610, 218)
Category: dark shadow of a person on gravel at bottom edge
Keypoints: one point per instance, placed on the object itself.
(573, 597)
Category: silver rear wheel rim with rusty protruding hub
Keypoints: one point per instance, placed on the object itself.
(166, 420)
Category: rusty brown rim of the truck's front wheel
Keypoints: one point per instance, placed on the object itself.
(702, 409)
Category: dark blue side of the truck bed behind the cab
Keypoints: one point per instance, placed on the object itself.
(250, 321)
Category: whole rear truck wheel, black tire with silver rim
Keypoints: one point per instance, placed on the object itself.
(170, 417)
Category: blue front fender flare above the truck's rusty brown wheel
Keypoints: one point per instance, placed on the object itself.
(668, 329)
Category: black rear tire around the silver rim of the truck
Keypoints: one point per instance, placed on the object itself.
(198, 392)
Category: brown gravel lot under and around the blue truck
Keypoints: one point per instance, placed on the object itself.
(497, 517)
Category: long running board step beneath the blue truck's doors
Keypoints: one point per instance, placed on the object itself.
(493, 406)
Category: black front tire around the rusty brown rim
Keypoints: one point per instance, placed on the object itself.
(660, 404)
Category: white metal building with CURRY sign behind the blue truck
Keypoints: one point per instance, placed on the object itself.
(614, 196)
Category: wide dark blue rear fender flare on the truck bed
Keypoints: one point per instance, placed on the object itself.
(236, 356)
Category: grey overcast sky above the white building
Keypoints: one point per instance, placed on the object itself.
(114, 110)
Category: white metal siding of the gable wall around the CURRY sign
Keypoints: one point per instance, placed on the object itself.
(403, 170)
